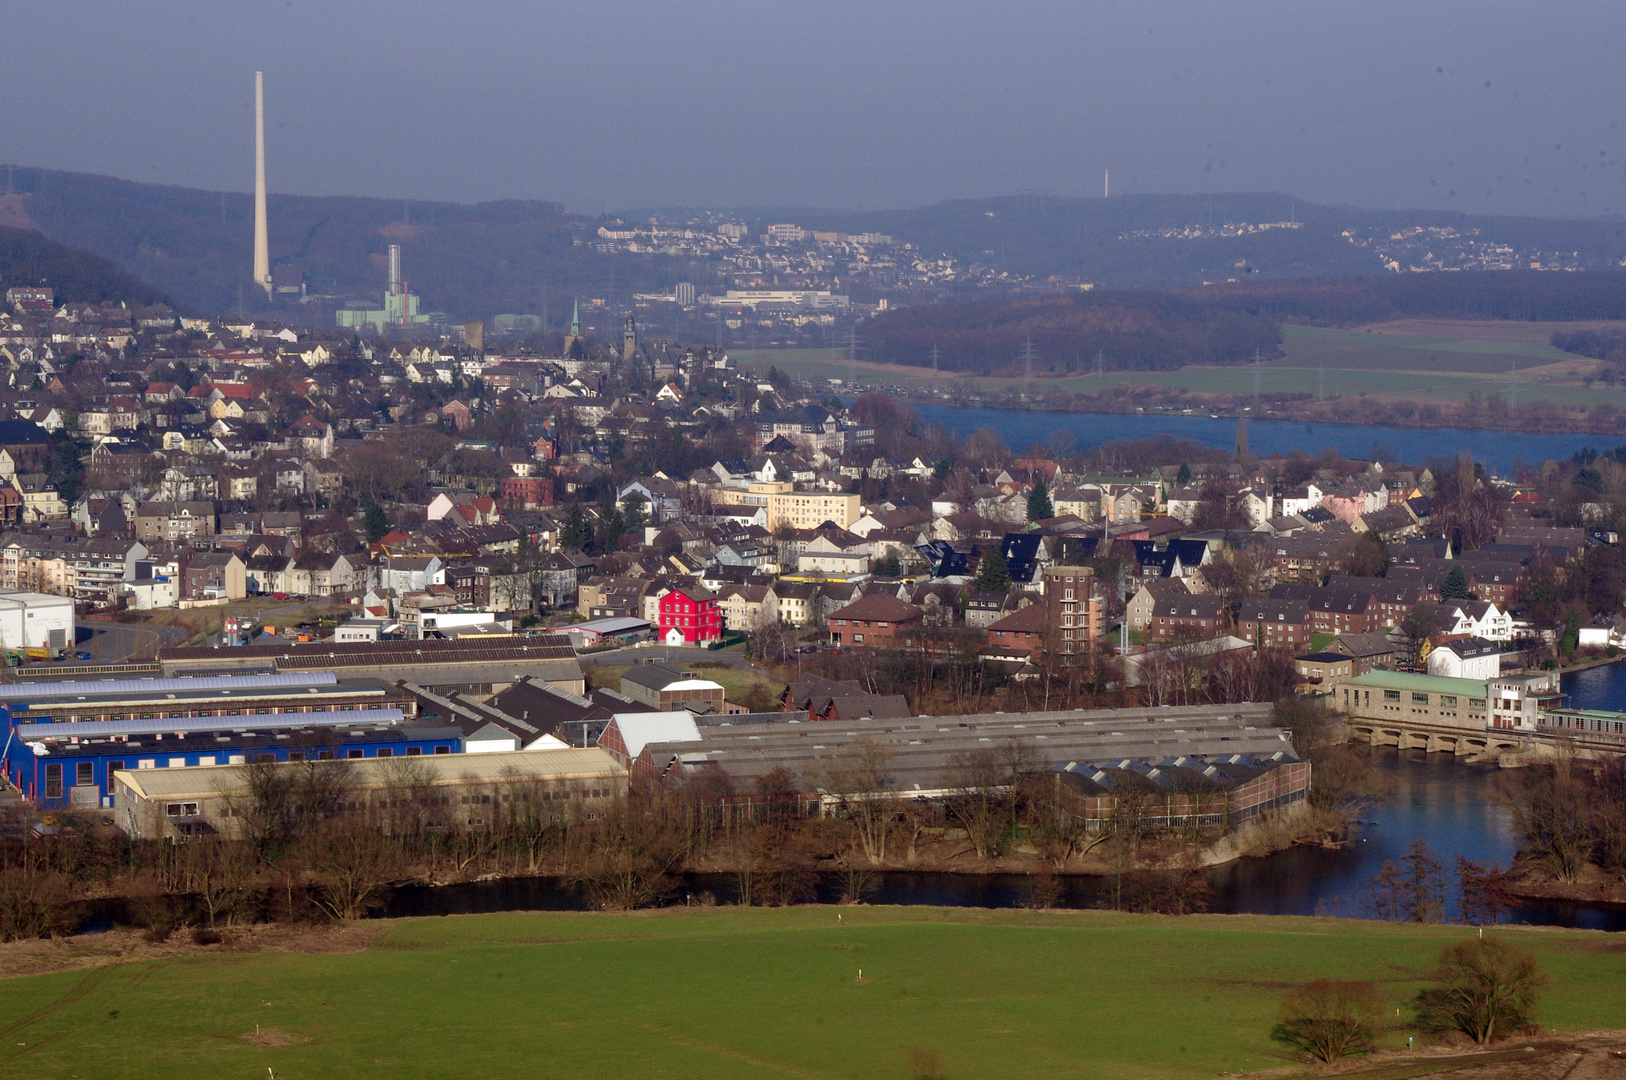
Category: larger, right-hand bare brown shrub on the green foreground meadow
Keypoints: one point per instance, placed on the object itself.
(1484, 988)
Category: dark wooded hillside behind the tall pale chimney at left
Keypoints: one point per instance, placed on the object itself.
(466, 259)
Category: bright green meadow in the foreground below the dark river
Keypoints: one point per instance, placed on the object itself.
(723, 995)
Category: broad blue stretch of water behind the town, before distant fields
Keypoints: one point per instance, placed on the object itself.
(1498, 450)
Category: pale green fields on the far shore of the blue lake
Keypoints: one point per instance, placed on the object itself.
(1435, 360)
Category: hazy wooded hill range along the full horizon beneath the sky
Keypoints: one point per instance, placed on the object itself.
(520, 256)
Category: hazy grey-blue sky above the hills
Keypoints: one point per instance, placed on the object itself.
(1498, 108)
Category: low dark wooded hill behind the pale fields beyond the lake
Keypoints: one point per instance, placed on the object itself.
(1220, 324)
